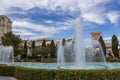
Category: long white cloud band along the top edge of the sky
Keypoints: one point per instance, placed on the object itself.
(51, 4)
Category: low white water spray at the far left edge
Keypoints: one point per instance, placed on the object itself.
(6, 54)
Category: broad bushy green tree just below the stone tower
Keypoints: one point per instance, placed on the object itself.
(10, 39)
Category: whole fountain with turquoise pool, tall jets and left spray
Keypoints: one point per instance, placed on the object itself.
(72, 55)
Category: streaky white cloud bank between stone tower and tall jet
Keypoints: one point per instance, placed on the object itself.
(25, 28)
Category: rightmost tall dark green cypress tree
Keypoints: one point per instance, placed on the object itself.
(115, 44)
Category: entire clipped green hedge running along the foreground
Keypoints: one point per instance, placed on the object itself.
(22, 73)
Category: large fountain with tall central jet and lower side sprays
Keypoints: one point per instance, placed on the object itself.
(77, 56)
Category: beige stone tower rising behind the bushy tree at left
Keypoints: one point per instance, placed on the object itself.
(5, 25)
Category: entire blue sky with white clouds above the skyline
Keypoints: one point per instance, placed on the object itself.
(55, 19)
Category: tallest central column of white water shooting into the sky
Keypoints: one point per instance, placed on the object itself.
(79, 48)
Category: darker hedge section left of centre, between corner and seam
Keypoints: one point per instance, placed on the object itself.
(22, 73)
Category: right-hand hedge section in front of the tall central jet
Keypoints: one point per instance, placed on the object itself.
(88, 75)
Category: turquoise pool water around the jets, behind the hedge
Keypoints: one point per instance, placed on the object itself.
(55, 65)
